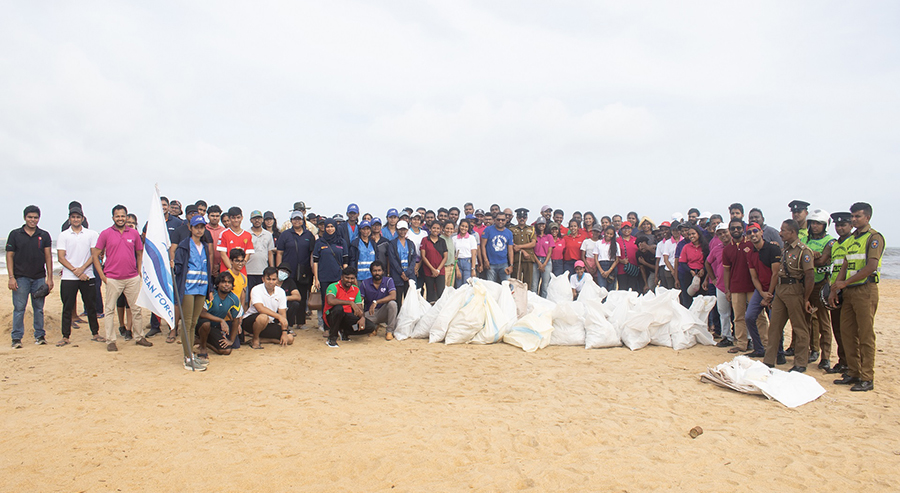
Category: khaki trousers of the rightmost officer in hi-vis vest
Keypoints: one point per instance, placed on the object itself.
(858, 329)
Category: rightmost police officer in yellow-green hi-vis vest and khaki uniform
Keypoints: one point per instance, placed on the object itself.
(858, 281)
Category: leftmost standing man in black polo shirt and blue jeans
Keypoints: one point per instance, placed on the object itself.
(29, 266)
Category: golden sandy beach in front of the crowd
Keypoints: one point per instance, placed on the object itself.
(411, 416)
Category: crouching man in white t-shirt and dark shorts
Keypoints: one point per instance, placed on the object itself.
(266, 317)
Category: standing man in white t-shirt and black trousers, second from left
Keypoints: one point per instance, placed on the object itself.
(73, 249)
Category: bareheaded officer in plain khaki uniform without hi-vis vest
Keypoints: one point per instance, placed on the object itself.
(791, 301)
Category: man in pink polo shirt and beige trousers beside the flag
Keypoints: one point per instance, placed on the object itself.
(122, 247)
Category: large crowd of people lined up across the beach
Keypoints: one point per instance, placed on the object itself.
(234, 286)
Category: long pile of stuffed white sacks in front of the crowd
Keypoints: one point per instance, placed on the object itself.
(483, 312)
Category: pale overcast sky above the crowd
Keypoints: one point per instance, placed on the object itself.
(602, 106)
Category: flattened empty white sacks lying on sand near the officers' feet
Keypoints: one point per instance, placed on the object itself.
(752, 377)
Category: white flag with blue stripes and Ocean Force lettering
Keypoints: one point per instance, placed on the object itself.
(156, 276)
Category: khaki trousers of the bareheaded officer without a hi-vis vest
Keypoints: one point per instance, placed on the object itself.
(789, 304)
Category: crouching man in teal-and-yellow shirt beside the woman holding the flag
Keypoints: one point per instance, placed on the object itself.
(220, 308)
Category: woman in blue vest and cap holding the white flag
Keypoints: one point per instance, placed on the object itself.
(191, 276)
